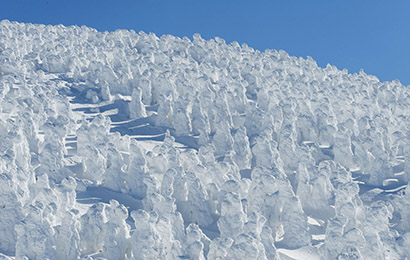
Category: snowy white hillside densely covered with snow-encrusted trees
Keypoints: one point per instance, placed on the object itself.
(123, 145)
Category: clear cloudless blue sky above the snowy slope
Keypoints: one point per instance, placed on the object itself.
(353, 34)
